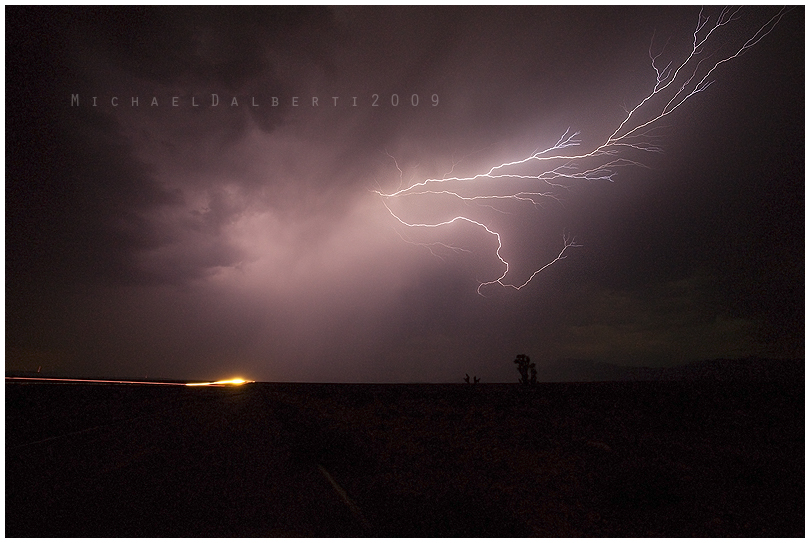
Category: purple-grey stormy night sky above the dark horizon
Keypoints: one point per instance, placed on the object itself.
(207, 241)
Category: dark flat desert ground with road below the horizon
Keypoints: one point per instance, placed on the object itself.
(586, 459)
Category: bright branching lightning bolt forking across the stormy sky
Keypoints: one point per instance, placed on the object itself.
(541, 175)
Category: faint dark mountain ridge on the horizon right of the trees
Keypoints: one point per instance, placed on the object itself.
(721, 369)
